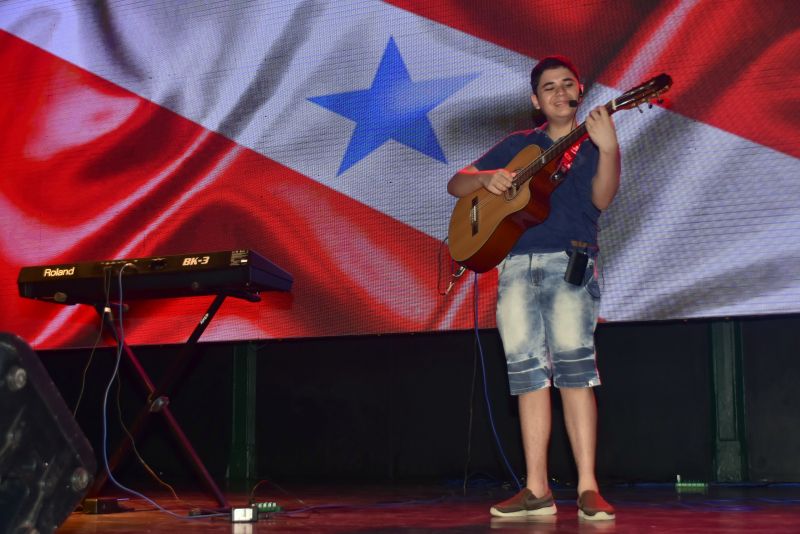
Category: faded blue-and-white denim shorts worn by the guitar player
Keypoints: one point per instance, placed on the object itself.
(546, 324)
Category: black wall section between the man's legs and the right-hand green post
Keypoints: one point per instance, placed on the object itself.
(655, 401)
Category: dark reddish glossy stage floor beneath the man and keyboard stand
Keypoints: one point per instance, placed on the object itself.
(426, 508)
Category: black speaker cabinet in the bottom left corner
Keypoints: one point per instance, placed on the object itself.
(46, 463)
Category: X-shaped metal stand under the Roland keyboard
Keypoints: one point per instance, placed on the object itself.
(157, 399)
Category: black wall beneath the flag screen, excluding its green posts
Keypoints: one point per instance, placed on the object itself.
(398, 407)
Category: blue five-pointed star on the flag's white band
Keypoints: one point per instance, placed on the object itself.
(395, 107)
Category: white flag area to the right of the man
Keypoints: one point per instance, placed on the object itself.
(706, 224)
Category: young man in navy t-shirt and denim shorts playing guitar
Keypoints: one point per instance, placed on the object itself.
(547, 324)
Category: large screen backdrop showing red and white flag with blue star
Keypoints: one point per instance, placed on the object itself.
(322, 135)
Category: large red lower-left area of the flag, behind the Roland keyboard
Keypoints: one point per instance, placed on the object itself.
(356, 270)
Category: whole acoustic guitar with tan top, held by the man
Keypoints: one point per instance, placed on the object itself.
(485, 226)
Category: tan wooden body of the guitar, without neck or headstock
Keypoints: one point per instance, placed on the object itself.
(484, 227)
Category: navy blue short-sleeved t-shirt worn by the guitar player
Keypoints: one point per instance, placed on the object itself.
(573, 216)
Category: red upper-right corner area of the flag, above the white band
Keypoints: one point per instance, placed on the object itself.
(734, 63)
